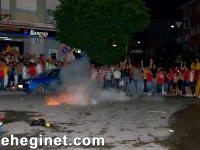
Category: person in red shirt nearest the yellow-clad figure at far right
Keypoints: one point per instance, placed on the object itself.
(186, 75)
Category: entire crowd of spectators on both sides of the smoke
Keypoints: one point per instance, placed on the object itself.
(183, 80)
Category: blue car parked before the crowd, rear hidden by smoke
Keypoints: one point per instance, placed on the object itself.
(48, 80)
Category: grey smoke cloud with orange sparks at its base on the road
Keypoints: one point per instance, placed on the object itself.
(79, 89)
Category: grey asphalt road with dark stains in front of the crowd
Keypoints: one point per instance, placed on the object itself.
(146, 122)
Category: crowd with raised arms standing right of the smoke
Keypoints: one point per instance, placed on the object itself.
(183, 80)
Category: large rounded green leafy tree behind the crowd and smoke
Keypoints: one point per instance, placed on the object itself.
(93, 26)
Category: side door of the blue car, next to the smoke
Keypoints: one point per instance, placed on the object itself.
(54, 81)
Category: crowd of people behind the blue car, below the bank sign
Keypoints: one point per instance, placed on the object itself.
(15, 67)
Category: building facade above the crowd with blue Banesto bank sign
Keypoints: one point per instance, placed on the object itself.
(37, 31)
